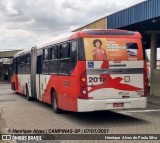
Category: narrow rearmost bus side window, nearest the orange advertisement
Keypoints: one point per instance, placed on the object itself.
(74, 47)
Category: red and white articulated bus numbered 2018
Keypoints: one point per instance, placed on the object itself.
(88, 70)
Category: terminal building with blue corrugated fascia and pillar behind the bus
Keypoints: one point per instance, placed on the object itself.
(145, 18)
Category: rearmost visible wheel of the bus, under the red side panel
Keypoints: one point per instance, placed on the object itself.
(54, 103)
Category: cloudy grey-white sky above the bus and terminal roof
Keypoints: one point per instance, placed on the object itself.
(26, 23)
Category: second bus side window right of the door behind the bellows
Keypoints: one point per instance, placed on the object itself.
(54, 59)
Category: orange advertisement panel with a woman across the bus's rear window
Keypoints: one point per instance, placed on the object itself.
(121, 49)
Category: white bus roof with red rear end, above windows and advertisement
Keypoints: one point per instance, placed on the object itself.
(86, 33)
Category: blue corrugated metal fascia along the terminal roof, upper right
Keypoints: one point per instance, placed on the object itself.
(138, 13)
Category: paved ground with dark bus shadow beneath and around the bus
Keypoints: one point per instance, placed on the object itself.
(20, 114)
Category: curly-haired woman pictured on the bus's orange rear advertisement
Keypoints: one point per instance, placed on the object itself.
(98, 53)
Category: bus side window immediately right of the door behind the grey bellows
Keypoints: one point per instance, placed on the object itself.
(45, 64)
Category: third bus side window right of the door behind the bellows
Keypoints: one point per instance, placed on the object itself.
(64, 59)
